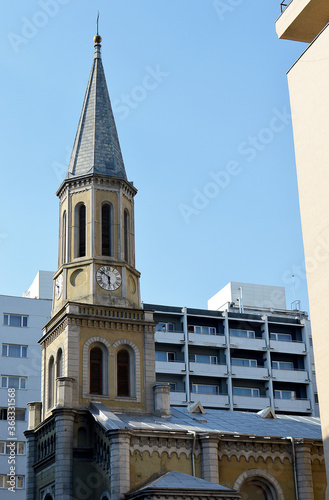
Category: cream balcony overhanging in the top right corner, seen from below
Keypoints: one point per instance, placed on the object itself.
(302, 20)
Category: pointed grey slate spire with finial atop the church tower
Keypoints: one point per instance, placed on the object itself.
(96, 148)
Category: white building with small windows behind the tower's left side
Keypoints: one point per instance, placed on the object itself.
(21, 322)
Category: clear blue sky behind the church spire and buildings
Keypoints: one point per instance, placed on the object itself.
(201, 102)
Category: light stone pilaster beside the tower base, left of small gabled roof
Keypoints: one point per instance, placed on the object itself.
(119, 464)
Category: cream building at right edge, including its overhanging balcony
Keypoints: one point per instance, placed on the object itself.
(307, 21)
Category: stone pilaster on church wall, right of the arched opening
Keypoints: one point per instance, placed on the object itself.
(304, 471)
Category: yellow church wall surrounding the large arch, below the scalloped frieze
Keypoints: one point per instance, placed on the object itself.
(229, 470)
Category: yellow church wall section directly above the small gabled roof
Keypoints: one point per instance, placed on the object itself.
(143, 465)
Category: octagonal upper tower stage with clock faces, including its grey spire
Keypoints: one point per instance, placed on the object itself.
(96, 216)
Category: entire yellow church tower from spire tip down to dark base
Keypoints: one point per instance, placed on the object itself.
(98, 347)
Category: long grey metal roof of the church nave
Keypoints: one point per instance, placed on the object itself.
(220, 421)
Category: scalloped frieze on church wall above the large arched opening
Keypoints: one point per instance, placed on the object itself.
(253, 450)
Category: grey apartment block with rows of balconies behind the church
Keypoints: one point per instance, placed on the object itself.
(245, 352)
